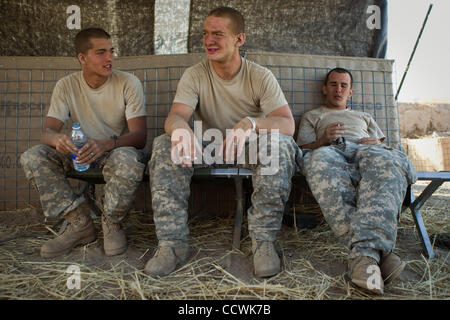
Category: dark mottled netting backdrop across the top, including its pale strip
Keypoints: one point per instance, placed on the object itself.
(143, 27)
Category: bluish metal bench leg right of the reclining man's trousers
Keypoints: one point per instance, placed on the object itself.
(415, 205)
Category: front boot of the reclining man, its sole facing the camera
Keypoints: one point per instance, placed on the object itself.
(365, 273)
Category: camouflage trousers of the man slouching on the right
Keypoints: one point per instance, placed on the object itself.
(360, 190)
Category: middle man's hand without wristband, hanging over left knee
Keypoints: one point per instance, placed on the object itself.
(185, 147)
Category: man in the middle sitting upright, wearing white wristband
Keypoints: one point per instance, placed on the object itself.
(235, 100)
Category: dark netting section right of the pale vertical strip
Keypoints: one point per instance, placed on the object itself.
(326, 27)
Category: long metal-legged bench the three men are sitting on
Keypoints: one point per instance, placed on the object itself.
(94, 176)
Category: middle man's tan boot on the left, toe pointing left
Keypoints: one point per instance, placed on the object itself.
(166, 260)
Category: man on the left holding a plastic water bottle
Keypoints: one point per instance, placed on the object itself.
(110, 106)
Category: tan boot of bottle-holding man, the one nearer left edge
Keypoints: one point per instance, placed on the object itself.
(79, 231)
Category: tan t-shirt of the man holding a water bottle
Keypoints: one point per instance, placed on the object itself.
(102, 112)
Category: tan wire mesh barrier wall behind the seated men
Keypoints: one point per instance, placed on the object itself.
(25, 97)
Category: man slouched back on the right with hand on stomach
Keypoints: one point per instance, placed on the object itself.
(358, 181)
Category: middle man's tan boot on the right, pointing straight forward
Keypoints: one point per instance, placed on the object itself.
(266, 261)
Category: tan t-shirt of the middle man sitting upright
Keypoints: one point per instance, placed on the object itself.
(219, 103)
